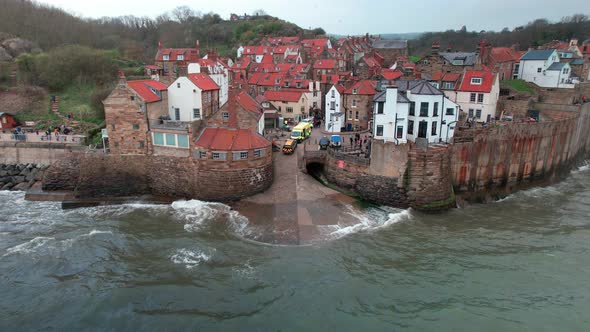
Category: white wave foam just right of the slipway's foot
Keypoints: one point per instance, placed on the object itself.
(366, 222)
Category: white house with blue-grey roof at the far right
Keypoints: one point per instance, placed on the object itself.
(542, 67)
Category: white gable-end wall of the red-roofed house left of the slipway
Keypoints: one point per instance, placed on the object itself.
(185, 98)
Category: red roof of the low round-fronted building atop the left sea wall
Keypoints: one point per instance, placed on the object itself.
(229, 139)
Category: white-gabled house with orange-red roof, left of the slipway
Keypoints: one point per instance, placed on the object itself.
(193, 97)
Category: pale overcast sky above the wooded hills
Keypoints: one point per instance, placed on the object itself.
(354, 16)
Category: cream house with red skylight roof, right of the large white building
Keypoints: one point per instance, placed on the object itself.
(478, 94)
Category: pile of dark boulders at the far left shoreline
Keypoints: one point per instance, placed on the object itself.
(20, 177)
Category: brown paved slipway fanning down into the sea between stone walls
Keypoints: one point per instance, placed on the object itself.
(295, 207)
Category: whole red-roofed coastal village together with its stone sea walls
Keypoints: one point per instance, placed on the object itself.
(379, 124)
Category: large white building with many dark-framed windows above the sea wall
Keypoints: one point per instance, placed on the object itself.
(412, 110)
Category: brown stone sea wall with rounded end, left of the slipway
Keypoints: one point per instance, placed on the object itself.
(96, 176)
